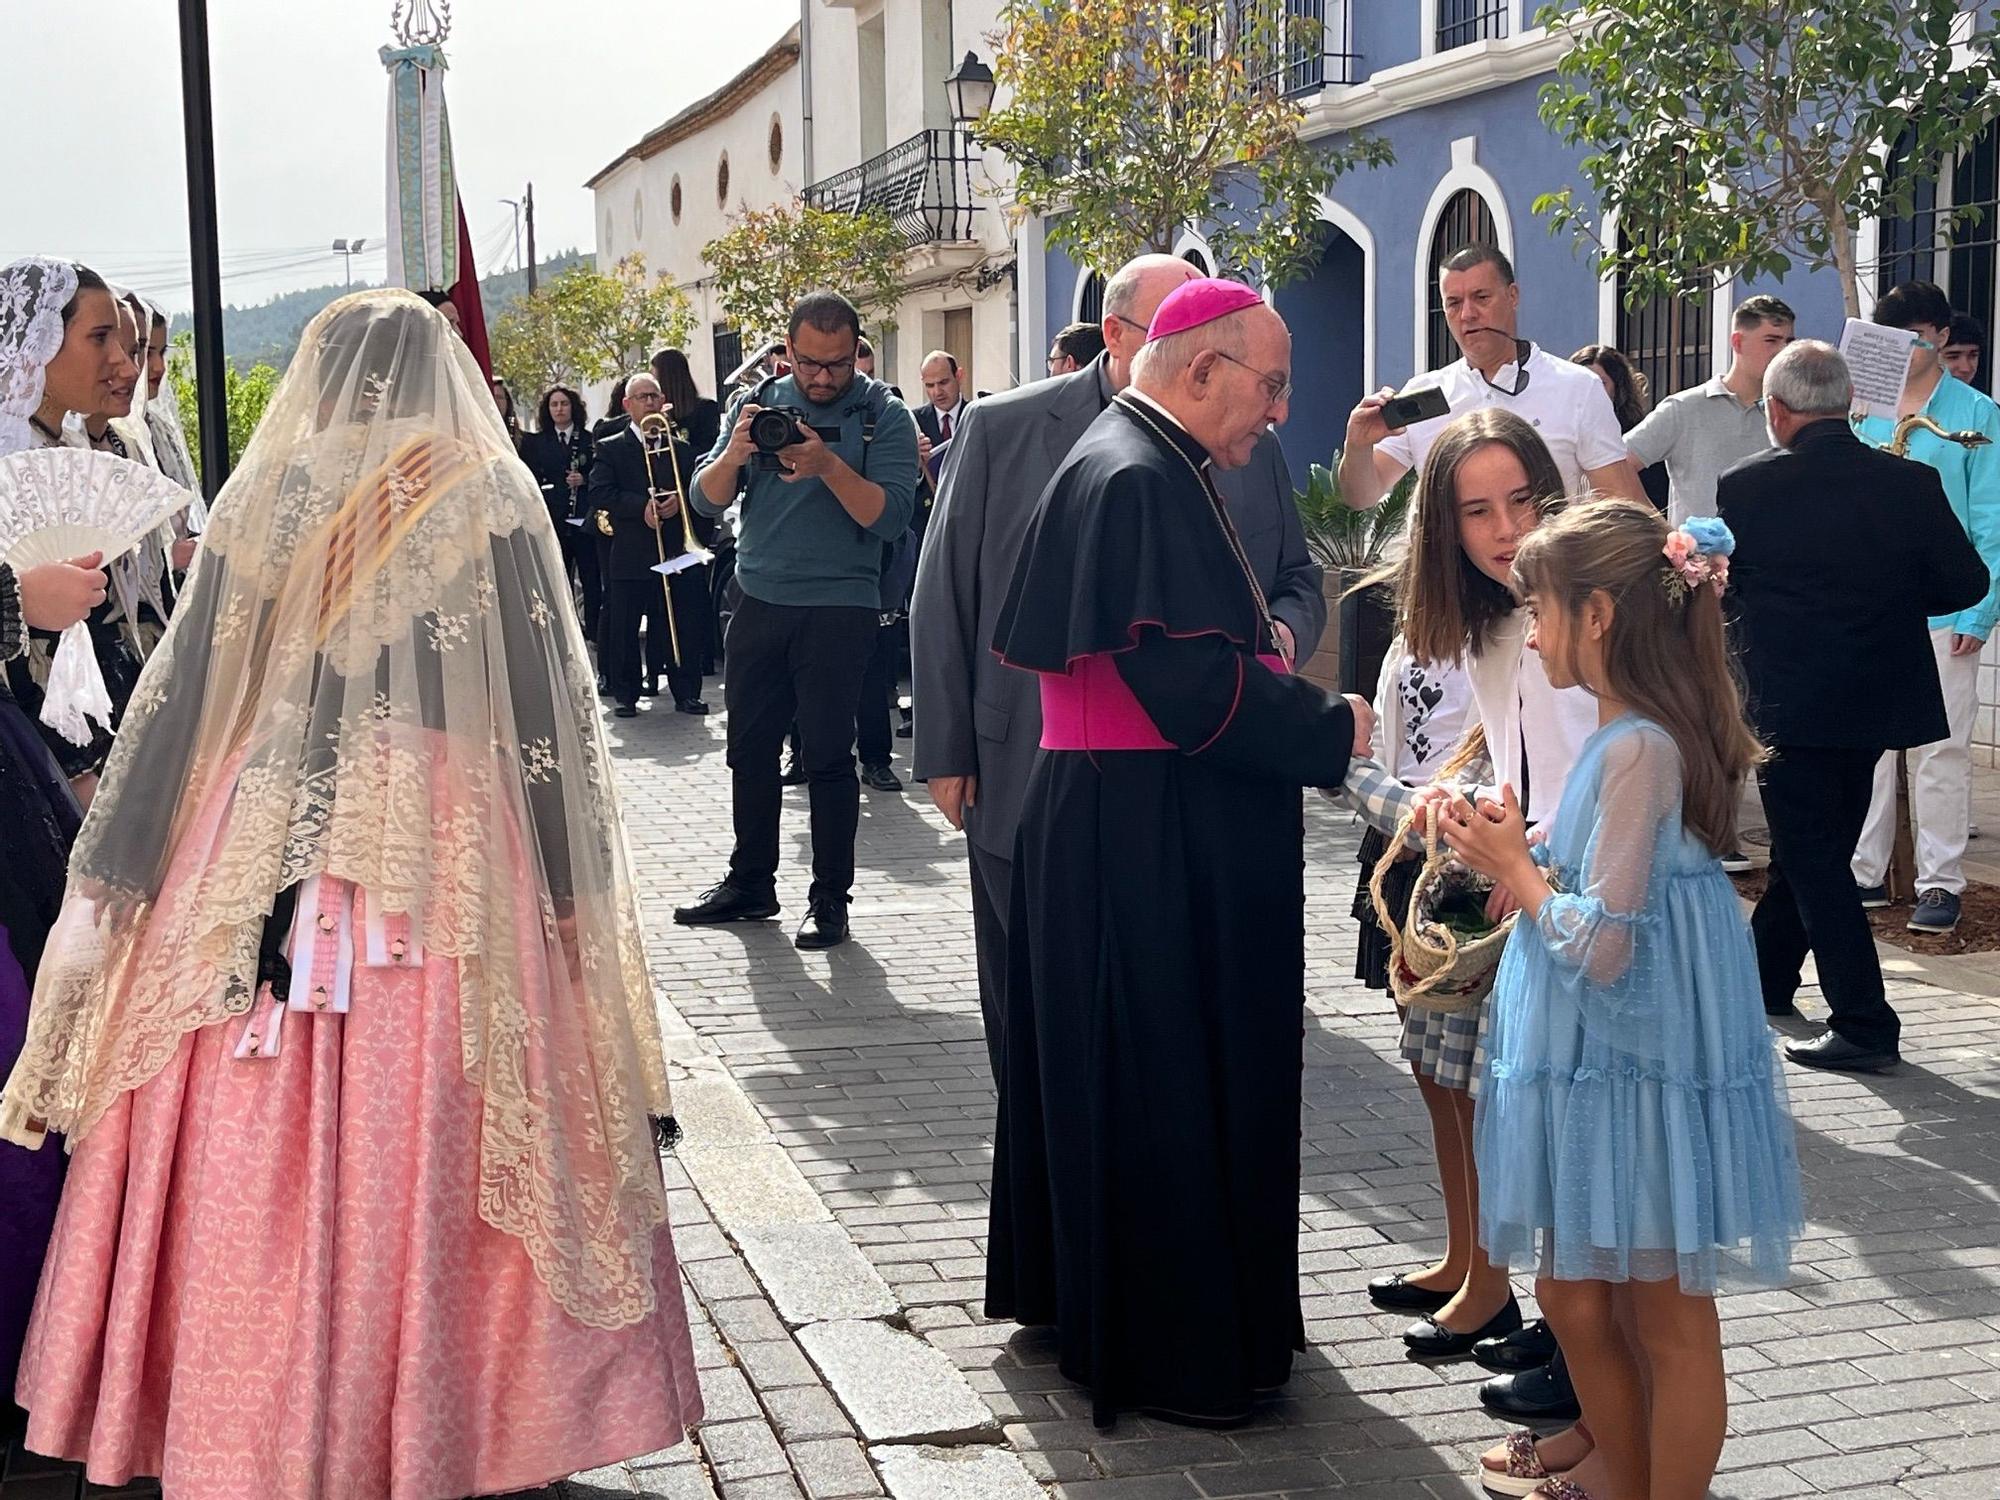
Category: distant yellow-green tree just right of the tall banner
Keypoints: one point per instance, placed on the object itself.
(587, 327)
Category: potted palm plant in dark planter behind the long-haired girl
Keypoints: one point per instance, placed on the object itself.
(1351, 545)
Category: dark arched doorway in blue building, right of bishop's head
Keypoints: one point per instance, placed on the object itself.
(1329, 321)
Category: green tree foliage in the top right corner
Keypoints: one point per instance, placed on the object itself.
(1751, 137)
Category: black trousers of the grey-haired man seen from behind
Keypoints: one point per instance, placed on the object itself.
(1817, 803)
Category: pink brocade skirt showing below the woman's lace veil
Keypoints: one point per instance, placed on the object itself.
(271, 1281)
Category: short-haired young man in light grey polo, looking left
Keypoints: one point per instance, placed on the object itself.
(1707, 429)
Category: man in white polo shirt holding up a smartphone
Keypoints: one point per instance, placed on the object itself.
(1565, 401)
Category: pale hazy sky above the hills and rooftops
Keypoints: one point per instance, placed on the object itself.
(539, 93)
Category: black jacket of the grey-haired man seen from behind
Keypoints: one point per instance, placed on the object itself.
(1843, 555)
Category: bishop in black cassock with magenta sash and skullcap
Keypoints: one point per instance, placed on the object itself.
(1147, 1153)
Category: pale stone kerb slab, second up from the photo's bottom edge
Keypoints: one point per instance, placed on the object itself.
(895, 1385)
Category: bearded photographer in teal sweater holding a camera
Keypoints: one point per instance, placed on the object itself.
(825, 461)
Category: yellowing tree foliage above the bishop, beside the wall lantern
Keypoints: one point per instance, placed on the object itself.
(1131, 121)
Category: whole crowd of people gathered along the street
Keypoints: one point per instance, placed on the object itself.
(339, 995)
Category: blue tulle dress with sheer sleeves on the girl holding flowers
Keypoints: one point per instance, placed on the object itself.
(1633, 1121)
